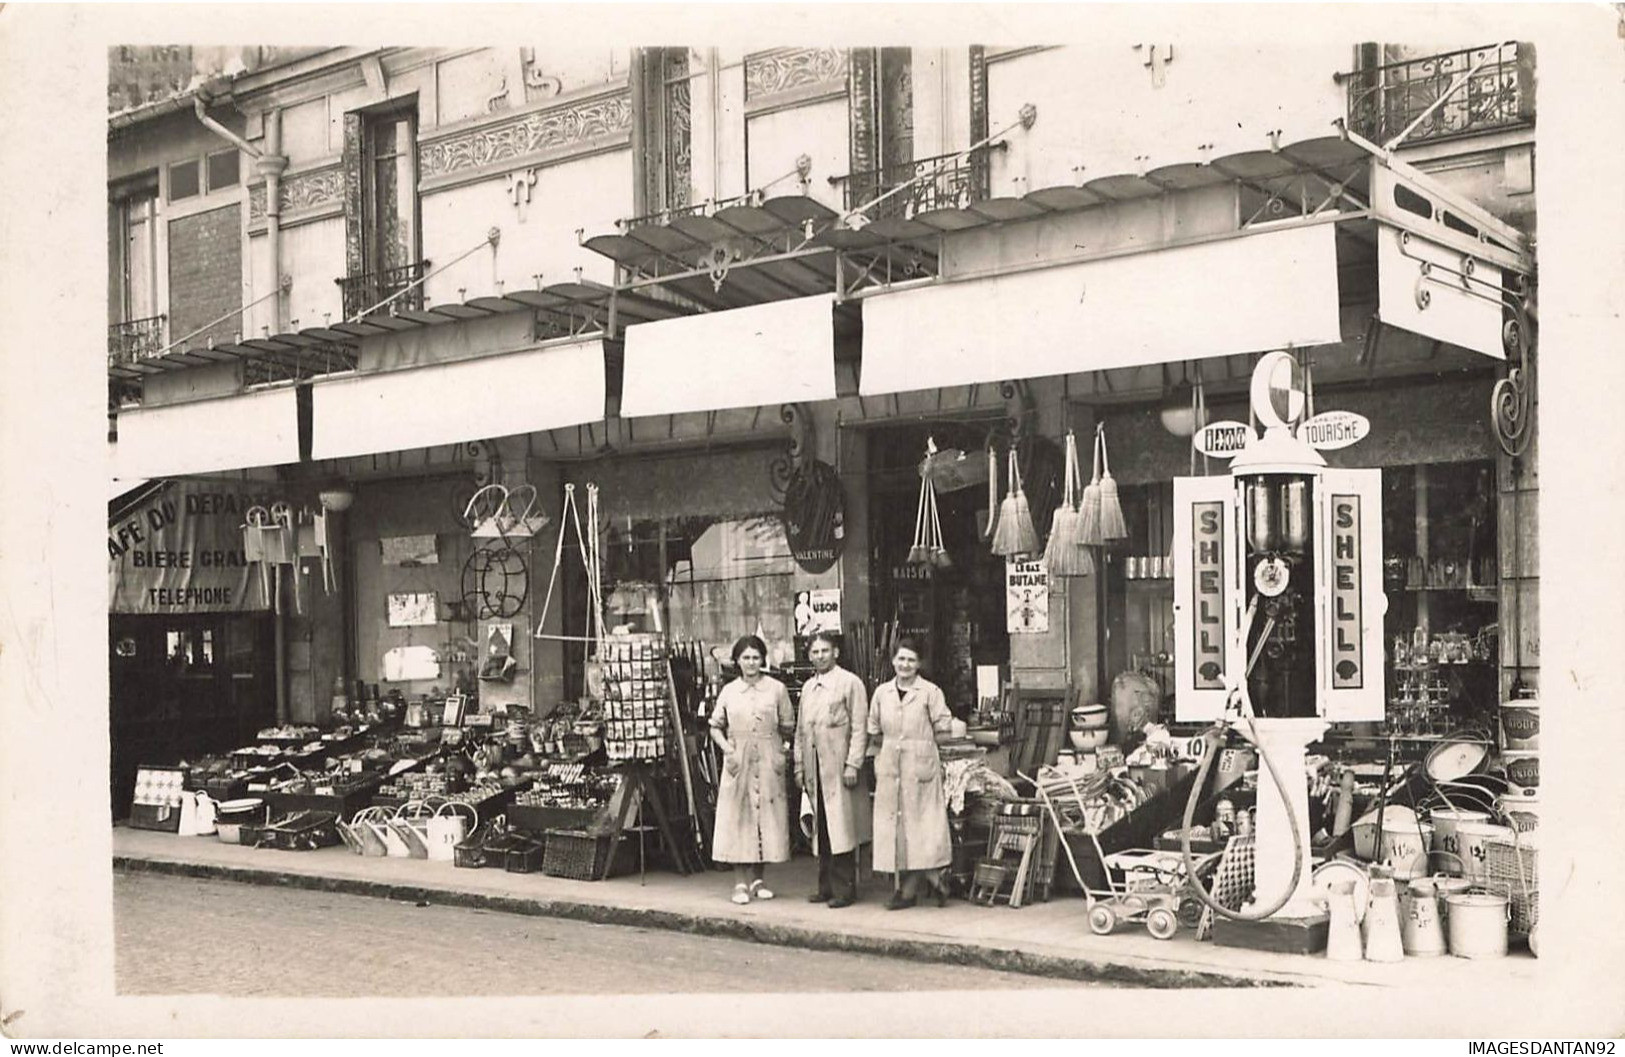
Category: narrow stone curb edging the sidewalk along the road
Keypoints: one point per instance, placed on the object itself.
(1005, 960)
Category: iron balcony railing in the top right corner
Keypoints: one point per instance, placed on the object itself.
(1385, 100)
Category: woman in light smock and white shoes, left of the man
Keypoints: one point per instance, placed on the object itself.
(750, 726)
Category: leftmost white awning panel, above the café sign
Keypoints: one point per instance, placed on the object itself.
(206, 437)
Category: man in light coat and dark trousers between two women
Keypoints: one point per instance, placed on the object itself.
(831, 744)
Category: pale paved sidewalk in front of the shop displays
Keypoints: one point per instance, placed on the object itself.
(1046, 939)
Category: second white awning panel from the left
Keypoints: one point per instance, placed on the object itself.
(496, 396)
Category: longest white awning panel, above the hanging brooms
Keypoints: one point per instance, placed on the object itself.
(1242, 295)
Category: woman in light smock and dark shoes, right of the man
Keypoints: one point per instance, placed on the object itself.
(911, 811)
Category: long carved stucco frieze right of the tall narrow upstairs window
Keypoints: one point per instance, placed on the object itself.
(531, 134)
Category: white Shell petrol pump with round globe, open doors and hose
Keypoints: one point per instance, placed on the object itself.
(1278, 612)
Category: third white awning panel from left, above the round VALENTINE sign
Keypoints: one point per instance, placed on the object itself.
(782, 352)
